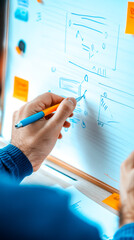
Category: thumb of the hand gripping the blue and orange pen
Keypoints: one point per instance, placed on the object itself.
(64, 110)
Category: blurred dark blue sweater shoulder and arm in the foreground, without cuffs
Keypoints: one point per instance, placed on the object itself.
(33, 213)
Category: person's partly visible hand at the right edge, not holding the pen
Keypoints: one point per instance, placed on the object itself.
(127, 191)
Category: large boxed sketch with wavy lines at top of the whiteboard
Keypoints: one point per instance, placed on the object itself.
(91, 43)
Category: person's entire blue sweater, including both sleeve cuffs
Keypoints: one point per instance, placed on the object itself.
(37, 212)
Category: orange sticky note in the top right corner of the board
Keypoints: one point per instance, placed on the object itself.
(130, 18)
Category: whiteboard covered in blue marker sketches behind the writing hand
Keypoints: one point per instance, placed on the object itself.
(73, 46)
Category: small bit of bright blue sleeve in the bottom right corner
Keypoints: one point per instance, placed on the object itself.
(125, 233)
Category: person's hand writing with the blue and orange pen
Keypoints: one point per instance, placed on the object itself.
(38, 139)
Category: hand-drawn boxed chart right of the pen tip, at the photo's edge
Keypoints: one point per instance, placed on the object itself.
(109, 110)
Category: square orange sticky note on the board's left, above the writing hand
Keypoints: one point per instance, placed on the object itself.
(21, 87)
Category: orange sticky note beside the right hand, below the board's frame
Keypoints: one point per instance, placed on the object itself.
(113, 201)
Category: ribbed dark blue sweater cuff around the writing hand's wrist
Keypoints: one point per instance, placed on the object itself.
(14, 163)
